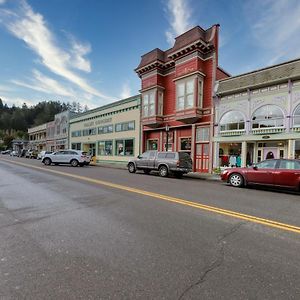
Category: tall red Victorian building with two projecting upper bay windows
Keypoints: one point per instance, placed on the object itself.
(177, 96)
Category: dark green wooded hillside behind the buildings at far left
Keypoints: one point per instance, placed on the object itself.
(15, 121)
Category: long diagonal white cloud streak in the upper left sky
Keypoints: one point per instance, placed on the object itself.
(32, 29)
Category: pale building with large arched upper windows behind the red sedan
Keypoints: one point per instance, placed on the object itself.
(258, 116)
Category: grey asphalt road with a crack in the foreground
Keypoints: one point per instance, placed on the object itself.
(65, 237)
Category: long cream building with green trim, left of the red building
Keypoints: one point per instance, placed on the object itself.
(111, 133)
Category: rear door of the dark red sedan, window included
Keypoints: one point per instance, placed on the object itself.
(287, 174)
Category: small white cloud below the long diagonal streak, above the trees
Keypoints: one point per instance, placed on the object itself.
(46, 85)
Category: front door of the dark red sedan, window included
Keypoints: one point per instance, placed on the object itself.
(262, 173)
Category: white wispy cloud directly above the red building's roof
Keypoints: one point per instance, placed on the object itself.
(179, 16)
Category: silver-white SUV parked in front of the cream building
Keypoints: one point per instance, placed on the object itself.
(72, 157)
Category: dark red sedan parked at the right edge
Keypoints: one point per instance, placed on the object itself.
(283, 173)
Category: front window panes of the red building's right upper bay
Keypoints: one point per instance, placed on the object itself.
(185, 94)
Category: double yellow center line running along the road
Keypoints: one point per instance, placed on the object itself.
(220, 211)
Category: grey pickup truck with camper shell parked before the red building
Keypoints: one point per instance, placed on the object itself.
(177, 163)
